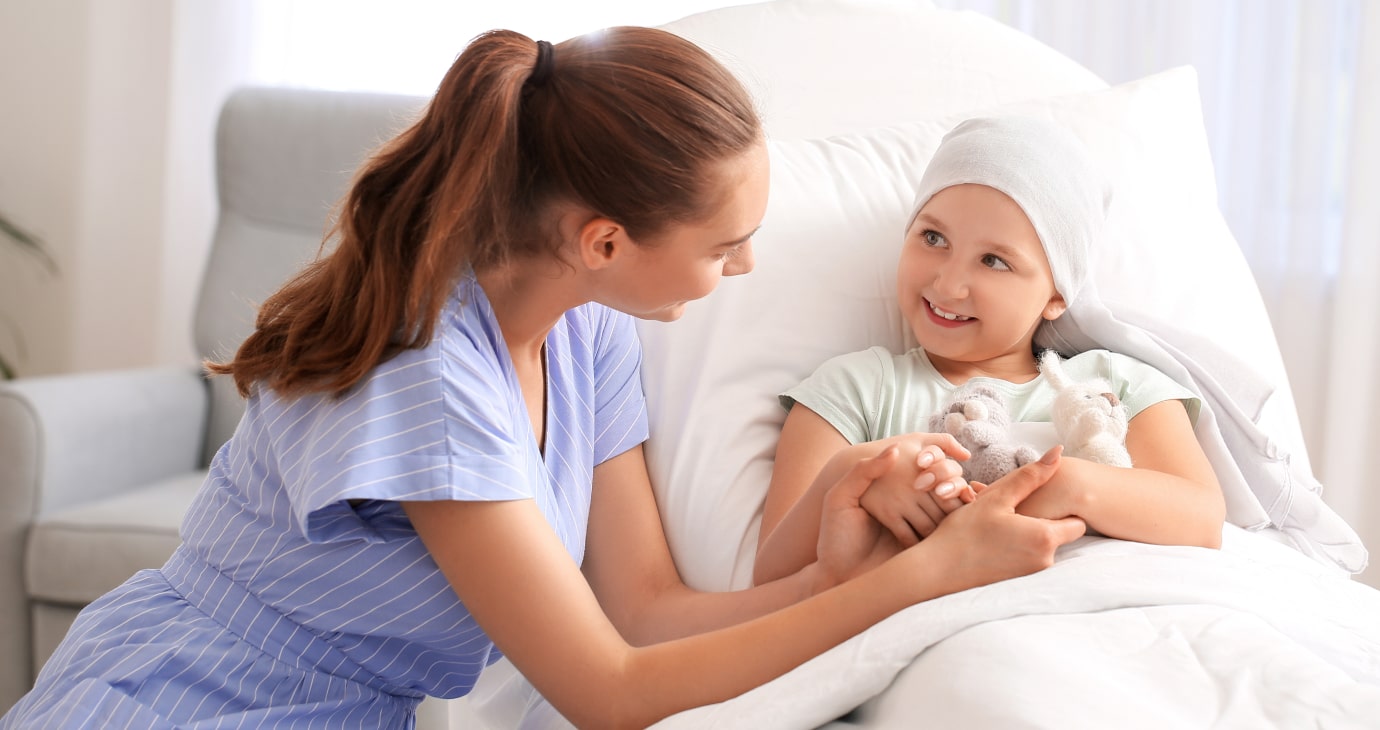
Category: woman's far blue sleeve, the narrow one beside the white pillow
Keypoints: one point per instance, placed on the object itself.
(620, 405)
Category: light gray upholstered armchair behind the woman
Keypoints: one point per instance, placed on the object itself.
(97, 468)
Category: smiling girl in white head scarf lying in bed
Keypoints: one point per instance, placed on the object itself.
(1000, 242)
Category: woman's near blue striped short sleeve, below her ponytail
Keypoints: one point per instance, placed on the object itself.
(440, 423)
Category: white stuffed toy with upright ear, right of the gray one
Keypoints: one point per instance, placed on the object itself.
(1088, 417)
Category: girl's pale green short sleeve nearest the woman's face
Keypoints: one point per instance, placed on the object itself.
(845, 391)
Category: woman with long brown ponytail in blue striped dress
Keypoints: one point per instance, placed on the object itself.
(441, 457)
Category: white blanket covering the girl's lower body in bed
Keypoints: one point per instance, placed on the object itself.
(1114, 635)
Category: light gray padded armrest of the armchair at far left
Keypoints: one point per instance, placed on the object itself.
(70, 440)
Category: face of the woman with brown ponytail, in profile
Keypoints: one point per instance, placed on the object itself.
(688, 262)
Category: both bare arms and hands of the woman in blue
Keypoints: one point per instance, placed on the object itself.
(521, 586)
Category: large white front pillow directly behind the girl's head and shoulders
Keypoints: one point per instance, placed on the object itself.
(826, 285)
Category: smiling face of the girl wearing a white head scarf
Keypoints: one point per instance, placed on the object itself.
(974, 284)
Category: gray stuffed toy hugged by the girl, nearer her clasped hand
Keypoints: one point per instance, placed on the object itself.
(979, 420)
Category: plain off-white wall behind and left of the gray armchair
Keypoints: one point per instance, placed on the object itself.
(106, 154)
